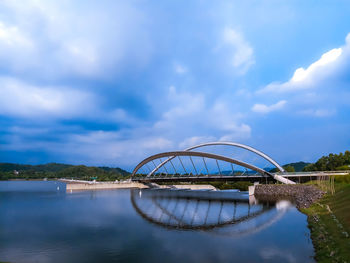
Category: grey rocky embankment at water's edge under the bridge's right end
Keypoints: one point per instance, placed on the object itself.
(302, 195)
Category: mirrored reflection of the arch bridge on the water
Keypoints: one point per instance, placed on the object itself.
(221, 212)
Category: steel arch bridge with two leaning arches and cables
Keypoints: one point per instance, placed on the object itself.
(191, 164)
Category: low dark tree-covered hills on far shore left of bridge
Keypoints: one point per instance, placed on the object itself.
(57, 170)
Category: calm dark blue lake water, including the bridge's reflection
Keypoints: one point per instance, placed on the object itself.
(40, 222)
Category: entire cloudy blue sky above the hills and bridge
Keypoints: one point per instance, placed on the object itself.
(111, 82)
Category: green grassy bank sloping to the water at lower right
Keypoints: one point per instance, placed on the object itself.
(329, 222)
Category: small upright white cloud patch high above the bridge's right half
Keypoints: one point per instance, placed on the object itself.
(237, 49)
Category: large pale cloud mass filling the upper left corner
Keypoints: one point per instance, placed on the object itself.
(47, 39)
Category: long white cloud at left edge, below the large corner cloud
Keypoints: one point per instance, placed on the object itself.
(33, 102)
